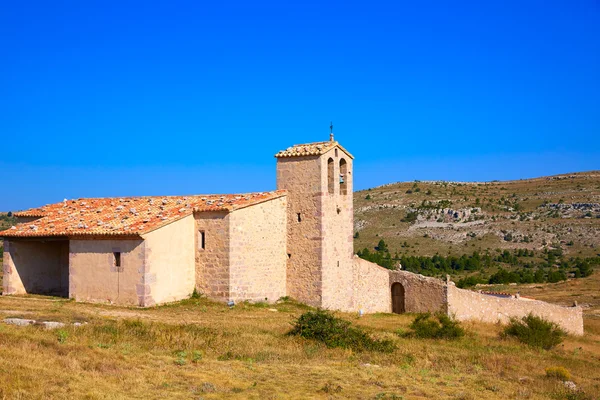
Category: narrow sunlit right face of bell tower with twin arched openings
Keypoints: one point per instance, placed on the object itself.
(337, 233)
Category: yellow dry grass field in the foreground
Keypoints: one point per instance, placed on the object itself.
(201, 349)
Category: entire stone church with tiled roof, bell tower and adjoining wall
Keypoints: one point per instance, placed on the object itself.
(296, 241)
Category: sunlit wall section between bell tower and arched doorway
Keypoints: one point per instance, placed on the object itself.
(371, 287)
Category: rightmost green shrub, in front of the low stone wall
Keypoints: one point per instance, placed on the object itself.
(535, 331)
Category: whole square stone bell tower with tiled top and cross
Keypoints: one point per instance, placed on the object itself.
(318, 178)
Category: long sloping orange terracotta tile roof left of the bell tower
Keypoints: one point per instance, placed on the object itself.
(124, 216)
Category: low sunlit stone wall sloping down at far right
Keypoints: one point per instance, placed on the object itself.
(469, 305)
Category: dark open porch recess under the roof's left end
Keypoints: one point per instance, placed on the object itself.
(36, 266)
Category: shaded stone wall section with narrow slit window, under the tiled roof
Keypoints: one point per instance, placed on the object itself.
(212, 262)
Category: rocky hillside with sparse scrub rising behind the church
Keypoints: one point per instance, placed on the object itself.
(455, 218)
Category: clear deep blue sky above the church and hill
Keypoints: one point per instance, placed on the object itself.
(151, 98)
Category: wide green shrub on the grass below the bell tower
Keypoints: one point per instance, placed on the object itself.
(325, 327)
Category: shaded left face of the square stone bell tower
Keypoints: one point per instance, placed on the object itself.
(301, 177)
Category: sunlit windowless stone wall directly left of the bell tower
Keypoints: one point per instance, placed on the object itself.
(258, 256)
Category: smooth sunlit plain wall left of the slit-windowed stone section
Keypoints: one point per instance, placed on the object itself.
(170, 270)
